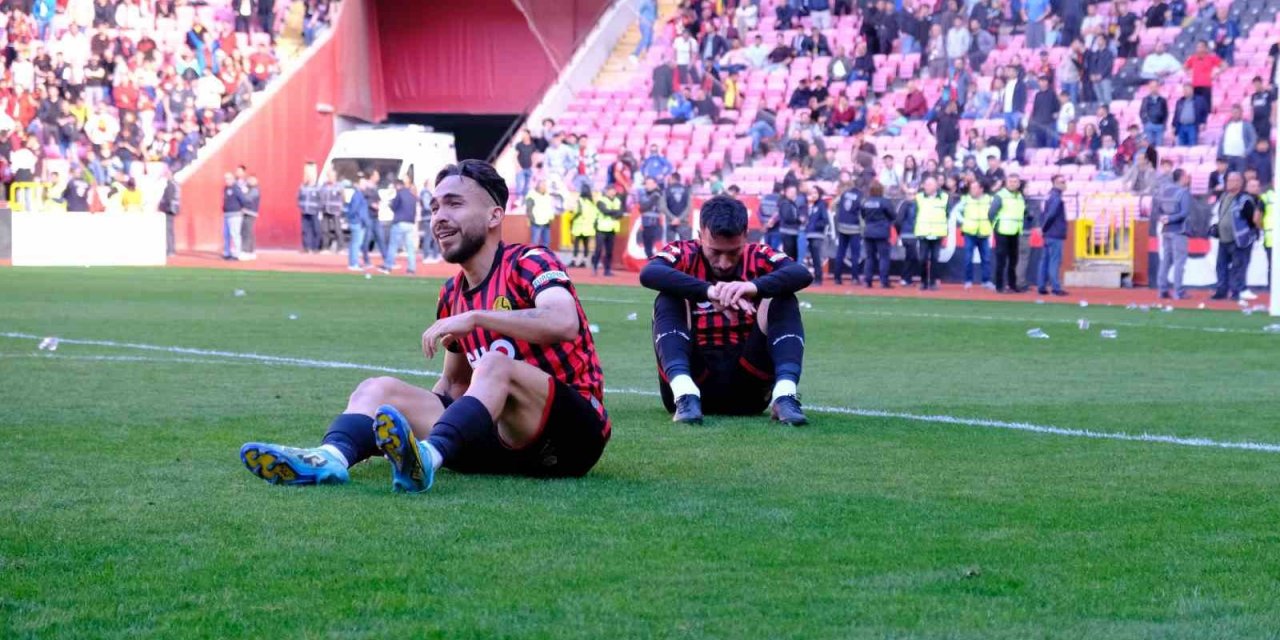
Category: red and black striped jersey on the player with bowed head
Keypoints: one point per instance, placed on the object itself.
(715, 328)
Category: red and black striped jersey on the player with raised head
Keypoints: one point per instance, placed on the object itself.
(519, 275)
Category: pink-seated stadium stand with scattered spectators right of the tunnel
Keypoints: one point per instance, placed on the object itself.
(618, 115)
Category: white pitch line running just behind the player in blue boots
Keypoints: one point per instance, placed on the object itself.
(819, 409)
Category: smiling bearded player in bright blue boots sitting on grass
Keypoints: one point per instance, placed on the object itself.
(522, 391)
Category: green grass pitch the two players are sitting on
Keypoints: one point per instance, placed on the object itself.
(125, 511)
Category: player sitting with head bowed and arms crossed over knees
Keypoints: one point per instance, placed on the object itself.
(726, 323)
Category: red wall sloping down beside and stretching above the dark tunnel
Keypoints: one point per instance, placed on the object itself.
(478, 57)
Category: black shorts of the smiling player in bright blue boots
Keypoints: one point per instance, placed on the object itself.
(572, 441)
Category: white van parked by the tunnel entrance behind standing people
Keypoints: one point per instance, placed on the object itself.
(396, 153)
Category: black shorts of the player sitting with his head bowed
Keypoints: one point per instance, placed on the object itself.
(734, 381)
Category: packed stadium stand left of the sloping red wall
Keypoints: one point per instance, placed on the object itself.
(121, 92)
